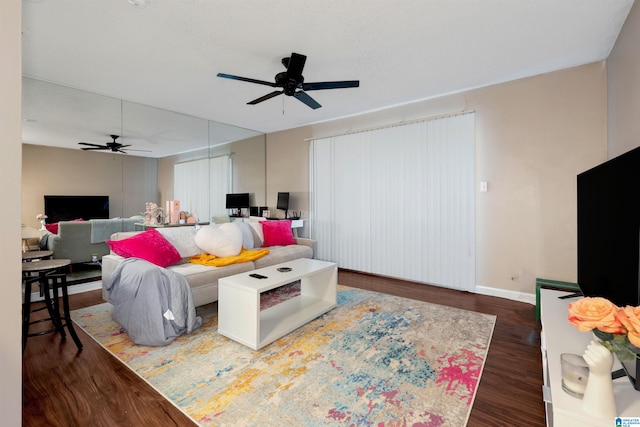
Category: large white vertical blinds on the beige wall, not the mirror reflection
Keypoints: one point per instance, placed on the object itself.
(398, 201)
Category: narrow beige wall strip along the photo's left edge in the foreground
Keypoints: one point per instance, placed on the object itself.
(10, 163)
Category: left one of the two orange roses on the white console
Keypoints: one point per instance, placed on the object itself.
(595, 313)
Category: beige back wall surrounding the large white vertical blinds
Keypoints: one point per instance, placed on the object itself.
(533, 136)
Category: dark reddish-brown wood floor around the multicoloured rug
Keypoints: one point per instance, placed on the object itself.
(92, 388)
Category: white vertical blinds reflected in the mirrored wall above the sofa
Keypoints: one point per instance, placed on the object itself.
(201, 186)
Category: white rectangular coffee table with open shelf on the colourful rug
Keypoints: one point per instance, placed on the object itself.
(239, 315)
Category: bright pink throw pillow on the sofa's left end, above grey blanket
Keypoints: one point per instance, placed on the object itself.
(149, 245)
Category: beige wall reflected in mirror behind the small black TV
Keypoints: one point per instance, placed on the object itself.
(129, 181)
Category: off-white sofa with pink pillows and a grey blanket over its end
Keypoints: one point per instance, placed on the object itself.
(202, 279)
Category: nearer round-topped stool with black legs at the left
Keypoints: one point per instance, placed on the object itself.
(49, 276)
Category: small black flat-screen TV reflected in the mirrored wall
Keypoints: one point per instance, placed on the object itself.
(67, 208)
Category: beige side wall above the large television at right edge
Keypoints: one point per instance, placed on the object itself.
(623, 70)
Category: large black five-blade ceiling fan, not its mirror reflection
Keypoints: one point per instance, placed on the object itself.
(292, 82)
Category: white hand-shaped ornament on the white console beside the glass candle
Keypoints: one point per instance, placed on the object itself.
(598, 400)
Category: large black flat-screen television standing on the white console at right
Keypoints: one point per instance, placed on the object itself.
(609, 234)
